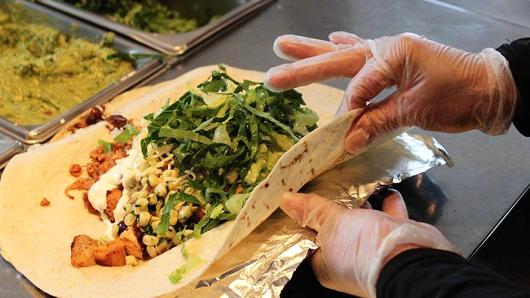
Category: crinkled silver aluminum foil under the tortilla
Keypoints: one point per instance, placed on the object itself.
(263, 263)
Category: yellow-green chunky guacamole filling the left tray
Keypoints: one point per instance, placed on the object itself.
(44, 72)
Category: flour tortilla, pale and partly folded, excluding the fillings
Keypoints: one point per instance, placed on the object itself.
(36, 240)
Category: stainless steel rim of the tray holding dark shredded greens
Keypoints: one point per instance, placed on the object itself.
(174, 44)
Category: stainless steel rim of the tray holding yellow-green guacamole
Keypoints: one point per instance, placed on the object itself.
(145, 68)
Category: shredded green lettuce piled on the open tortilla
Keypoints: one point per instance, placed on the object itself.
(229, 133)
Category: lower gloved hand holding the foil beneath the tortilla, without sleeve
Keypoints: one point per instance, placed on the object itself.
(355, 244)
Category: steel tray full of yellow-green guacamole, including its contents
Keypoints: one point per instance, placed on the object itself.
(53, 68)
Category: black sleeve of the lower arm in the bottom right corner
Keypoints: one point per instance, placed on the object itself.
(436, 273)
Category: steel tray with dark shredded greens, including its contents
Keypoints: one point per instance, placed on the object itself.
(173, 27)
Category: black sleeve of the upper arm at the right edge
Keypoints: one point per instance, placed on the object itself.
(518, 55)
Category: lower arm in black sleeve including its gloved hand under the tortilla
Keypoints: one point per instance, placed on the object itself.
(370, 253)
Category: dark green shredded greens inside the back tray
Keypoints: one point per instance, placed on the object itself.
(147, 15)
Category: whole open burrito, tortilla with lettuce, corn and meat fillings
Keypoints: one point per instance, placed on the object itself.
(143, 203)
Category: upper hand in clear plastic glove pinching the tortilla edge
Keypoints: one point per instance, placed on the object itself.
(438, 87)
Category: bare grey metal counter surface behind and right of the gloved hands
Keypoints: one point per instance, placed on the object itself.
(489, 172)
